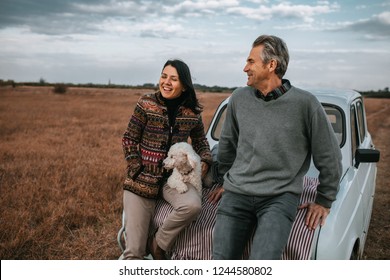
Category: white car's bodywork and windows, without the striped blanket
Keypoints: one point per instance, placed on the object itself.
(345, 231)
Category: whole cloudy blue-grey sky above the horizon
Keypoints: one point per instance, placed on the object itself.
(343, 43)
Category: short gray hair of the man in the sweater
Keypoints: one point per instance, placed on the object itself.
(274, 48)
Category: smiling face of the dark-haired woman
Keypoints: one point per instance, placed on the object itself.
(170, 85)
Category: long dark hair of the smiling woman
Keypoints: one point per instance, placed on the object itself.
(190, 99)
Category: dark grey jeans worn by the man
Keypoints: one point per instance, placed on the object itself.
(238, 215)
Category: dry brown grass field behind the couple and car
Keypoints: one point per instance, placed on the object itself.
(62, 168)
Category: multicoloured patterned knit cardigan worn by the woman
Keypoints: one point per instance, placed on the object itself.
(148, 138)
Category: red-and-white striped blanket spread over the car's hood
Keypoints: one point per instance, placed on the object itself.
(195, 242)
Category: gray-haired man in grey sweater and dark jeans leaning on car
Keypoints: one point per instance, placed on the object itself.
(271, 131)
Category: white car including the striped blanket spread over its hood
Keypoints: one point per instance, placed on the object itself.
(345, 231)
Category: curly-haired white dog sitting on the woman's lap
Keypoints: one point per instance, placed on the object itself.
(185, 163)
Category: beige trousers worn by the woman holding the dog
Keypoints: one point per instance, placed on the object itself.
(139, 212)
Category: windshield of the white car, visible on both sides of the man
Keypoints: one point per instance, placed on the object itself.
(334, 114)
